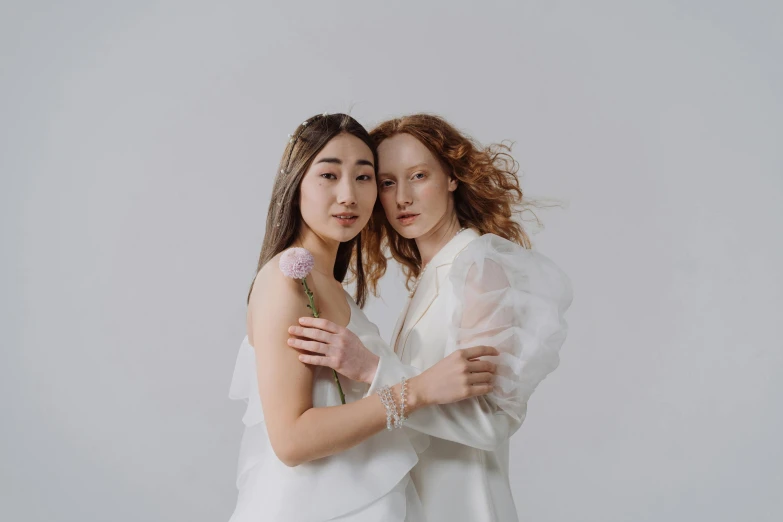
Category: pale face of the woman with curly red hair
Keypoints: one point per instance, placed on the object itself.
(415, 190)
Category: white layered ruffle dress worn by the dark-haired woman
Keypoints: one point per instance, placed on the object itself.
(367, 483)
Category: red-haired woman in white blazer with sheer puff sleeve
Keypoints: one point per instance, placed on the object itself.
(447, 217)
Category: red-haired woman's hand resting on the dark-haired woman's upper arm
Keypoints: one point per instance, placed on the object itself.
(333, 346)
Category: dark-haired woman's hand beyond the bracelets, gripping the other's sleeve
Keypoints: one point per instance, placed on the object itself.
(458, 376)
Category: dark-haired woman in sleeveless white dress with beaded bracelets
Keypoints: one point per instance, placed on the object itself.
(305, 456)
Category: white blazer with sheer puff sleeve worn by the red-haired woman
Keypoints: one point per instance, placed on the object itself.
(477, 290)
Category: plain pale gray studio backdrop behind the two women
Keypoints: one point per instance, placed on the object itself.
(139, 141)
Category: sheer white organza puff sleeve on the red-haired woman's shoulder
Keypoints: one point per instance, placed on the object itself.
(513, 299)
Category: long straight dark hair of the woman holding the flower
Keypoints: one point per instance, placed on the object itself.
(284, 218)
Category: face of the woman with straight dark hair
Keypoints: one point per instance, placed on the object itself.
(338, 191)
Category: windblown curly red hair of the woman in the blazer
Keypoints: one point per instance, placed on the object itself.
(487, 197)
